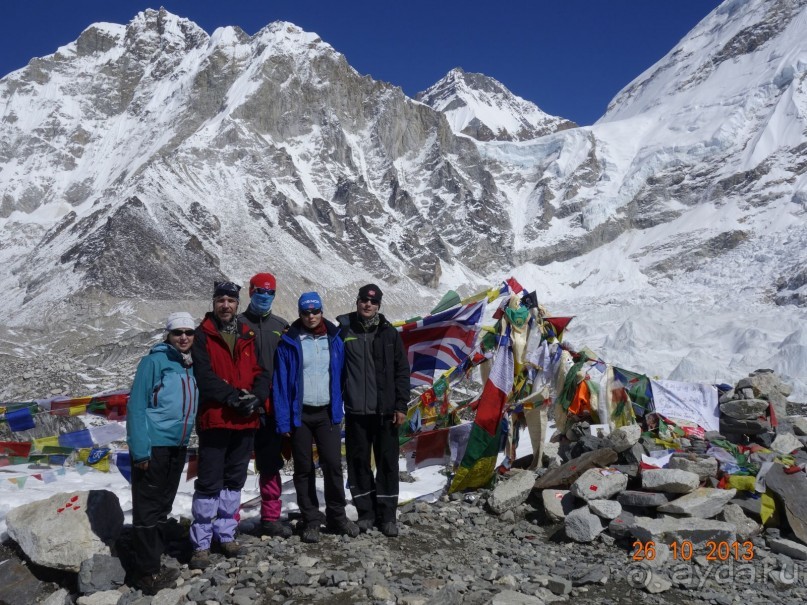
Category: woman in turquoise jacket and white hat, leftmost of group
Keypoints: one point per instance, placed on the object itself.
(159, 420)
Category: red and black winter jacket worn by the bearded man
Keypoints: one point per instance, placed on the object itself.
(220, 376)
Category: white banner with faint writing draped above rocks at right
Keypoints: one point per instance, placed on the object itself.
(696, 402)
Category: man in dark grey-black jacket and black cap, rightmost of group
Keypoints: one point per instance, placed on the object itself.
(376, 394)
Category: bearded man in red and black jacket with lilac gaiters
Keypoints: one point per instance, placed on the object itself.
(232, 387)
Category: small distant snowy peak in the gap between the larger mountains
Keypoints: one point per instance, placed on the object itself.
(482, 107)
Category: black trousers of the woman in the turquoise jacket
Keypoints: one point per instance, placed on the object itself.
(153, 492)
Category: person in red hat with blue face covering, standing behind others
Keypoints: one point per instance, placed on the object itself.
(268, 329)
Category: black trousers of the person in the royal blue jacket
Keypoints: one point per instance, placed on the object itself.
(316, 427)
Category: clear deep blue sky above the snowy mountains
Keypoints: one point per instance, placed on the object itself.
(570, 57)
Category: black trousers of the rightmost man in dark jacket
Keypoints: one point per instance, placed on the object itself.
(375, 498)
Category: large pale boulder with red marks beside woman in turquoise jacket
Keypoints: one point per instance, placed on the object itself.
(67, 528)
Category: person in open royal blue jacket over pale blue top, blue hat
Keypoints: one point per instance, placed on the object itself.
(307, 399)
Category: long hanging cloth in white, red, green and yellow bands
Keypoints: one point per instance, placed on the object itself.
(479, 461)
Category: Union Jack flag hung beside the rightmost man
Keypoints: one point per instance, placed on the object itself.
(441, 341)
